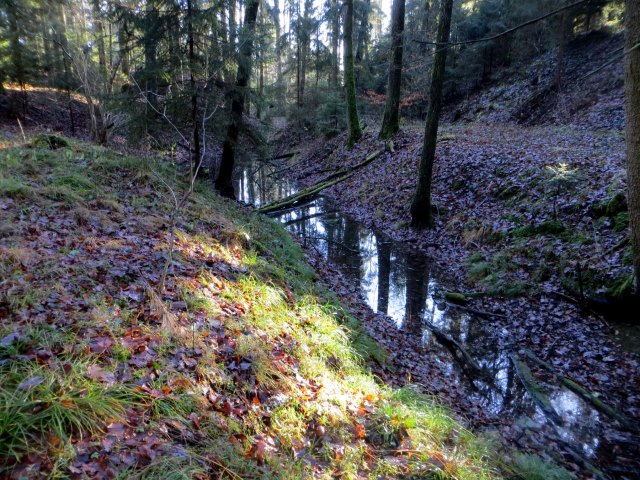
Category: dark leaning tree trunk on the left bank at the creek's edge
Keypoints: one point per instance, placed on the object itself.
(224, 182)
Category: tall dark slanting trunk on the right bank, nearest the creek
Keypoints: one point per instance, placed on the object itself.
(421, 205)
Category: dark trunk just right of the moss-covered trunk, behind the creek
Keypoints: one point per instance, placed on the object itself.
(391, 120)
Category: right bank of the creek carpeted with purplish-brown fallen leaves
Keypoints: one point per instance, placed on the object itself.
(526, 219)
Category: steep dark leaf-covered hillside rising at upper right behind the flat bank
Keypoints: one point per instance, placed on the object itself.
(590, 97)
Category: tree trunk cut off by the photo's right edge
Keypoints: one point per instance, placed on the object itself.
(632, 92)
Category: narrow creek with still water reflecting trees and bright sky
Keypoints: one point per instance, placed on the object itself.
(400, 282)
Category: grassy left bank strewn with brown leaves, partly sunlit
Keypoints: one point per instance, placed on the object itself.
(247, 367)
